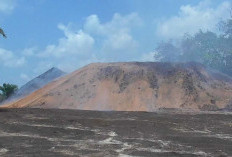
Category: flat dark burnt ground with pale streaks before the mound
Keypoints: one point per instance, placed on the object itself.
(40, 132)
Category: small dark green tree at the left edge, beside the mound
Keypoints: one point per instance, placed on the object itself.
(8, 89)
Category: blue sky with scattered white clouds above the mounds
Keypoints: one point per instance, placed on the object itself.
(69, 34)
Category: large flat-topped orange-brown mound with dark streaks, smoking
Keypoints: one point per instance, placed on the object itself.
(135, 87)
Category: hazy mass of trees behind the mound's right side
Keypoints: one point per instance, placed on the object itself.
(208, 48)
